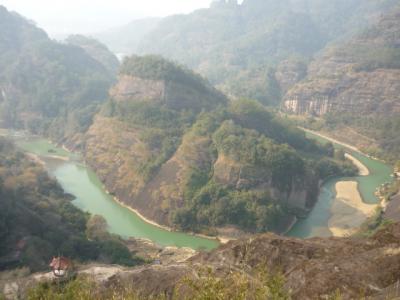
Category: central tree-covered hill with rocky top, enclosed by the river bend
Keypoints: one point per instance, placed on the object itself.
(172, 147)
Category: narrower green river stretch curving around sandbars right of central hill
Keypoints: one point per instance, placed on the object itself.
(316, 223)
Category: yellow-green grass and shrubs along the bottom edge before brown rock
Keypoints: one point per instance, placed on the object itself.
(207, 285)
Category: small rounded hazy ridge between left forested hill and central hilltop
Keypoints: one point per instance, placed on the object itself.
(96, 50)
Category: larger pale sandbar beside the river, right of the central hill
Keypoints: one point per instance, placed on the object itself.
(348, 211)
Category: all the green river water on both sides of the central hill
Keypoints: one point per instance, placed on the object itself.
(78, 180)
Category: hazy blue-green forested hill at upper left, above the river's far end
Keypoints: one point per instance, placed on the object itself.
(47, 87)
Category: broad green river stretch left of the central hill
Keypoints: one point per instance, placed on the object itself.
(79, 180)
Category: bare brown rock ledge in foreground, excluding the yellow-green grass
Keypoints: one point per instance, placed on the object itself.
(313, 269)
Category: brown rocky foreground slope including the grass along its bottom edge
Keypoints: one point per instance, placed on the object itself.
(262, 267)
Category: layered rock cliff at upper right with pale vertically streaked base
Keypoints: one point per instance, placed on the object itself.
(360, 76)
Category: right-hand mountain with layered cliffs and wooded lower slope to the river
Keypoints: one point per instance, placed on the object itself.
(354, 85)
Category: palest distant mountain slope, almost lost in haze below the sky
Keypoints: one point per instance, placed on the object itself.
(125, 40)
